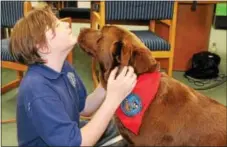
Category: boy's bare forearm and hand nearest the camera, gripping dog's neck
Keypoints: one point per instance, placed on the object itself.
(117, 90)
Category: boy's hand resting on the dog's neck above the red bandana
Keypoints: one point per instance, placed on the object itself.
(119, 88)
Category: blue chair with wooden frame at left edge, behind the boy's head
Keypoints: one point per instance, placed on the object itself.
(11, 12)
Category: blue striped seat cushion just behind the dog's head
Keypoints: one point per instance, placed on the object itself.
(152, 41)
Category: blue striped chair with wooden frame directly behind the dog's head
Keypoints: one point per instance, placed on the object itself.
(137, 13)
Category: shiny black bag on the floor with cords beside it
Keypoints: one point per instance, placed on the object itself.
(204, 65)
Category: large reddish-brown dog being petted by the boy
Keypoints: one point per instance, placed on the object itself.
(178, 116)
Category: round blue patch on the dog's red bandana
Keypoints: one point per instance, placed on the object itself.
(131, 105)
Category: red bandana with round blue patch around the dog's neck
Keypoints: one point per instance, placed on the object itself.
(132, 109)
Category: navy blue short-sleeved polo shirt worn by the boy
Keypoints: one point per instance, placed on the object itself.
(48, 107)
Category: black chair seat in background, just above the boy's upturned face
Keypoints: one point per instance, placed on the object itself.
(77, 13)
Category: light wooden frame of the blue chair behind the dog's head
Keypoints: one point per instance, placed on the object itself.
(98, 21)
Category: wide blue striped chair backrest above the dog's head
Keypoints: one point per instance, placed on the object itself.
(138, 10)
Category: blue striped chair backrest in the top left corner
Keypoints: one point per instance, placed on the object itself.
(11, 12)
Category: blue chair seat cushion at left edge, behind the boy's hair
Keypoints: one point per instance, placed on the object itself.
(5, 53)
